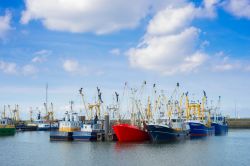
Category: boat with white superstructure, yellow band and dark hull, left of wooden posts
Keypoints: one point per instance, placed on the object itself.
(67, 126)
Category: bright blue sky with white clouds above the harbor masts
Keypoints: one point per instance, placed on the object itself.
(202, 44)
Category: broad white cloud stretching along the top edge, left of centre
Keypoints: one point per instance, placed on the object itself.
(98, 16)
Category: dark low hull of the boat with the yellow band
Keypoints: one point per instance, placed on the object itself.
(61, 136)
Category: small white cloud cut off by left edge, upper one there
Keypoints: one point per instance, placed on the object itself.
(5, 24)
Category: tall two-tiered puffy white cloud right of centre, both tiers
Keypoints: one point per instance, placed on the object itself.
(170, 44)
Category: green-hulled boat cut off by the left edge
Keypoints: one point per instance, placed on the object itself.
(7, 127)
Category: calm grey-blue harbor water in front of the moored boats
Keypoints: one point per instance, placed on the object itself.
(35, 148)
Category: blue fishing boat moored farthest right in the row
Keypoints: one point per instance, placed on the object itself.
(220, 125)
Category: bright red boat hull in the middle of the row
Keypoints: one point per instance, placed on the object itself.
(130, 133)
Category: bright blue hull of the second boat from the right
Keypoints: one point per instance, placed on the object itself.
(199, 129)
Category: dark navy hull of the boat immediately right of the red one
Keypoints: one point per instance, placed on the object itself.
(159, 133)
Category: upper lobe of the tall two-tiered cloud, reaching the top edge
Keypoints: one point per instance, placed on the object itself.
(174, 18)
